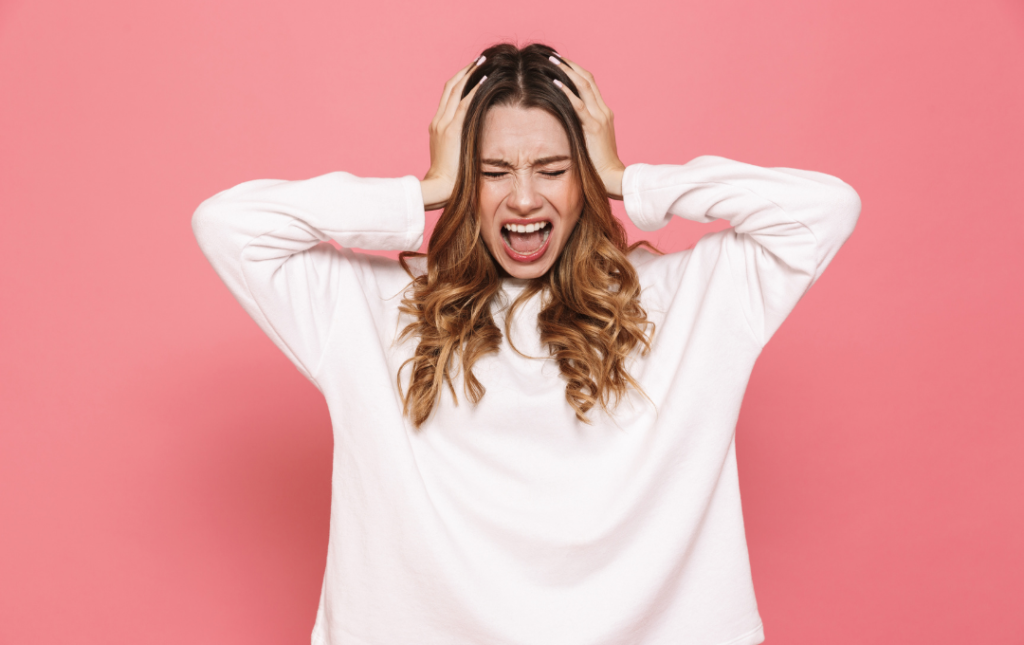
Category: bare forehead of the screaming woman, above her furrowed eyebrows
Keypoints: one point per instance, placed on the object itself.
(522, 135)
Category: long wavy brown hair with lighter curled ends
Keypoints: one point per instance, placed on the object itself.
(591, 319)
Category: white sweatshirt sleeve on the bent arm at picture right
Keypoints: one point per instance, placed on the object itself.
(787, 225)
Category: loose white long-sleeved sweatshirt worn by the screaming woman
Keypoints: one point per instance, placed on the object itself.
(510, 523)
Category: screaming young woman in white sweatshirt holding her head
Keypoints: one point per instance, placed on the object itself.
(534, 422)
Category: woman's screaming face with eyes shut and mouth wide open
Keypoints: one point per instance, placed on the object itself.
(530, 197)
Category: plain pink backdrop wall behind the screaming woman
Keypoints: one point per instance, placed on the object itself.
(164, 470)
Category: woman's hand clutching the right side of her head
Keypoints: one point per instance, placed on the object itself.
(599, 125)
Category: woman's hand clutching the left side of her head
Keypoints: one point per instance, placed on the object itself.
(446, 136)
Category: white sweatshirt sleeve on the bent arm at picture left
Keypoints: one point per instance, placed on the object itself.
(264, 239)
